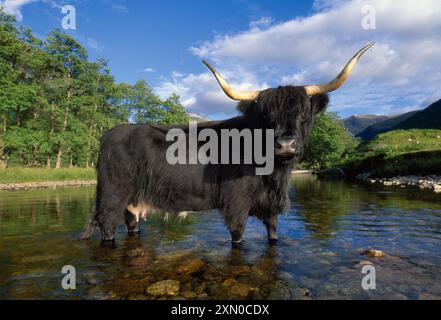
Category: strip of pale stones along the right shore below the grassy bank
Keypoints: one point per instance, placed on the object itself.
(432, 182)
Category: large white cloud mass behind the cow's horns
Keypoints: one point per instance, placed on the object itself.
(403, 70)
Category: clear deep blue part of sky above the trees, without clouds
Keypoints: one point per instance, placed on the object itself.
(135, 35)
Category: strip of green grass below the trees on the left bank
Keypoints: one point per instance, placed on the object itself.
(18, 174)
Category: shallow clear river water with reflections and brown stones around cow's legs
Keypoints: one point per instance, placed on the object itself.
(319, 257)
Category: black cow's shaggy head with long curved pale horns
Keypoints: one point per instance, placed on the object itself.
(289, 110)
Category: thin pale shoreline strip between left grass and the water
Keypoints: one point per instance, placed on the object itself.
(45, 185)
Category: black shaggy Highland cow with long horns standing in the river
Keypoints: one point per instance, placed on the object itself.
(134, 177)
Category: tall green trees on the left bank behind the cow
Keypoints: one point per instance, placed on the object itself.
(55, 103)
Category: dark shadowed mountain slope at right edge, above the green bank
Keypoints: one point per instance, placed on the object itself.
(429, 118)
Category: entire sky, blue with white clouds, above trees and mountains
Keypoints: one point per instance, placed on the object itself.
(259, 44)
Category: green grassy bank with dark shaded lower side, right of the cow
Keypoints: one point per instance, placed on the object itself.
(397, 153)
